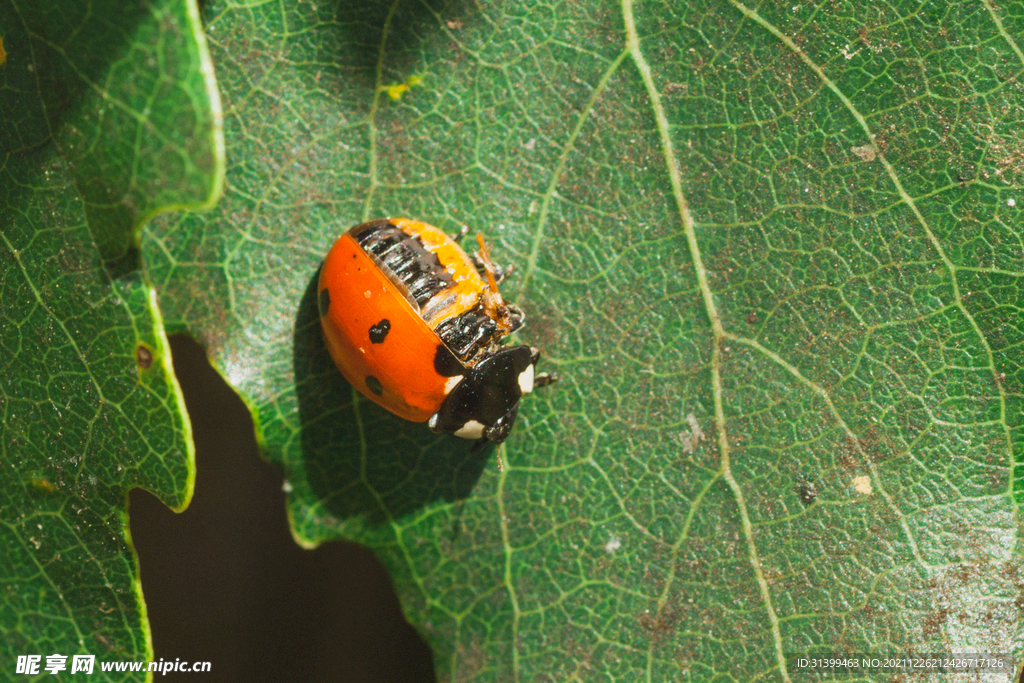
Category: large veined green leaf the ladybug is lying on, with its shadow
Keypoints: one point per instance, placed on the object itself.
(775, 254)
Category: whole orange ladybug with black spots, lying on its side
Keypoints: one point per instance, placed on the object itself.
(417, 326)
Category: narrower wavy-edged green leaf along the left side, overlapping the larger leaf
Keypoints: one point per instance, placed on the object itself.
(107, 119)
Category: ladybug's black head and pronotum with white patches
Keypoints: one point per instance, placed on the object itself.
(485, 404)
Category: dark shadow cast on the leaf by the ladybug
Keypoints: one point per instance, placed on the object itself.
(362, 460)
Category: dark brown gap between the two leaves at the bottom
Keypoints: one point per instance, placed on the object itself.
(225, 582)
